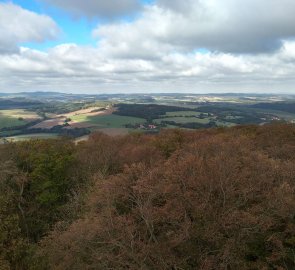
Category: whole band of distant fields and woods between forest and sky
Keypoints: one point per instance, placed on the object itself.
(35, 115)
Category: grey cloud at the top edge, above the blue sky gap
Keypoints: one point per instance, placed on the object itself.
(97, 8)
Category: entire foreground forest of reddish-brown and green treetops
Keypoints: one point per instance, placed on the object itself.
(220, 198)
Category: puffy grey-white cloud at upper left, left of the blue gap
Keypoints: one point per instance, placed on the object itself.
(18, 25)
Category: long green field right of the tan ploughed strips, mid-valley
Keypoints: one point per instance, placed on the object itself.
(108, 121)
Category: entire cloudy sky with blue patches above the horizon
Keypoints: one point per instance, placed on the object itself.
(146, 46)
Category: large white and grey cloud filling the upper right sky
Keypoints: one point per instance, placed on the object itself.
(233, 26)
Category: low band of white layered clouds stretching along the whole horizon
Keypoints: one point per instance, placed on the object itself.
(73, 68)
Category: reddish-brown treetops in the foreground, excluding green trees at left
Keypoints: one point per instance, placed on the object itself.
(211, 199)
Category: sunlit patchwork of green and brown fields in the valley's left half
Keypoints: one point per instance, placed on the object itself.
(92, 119)
